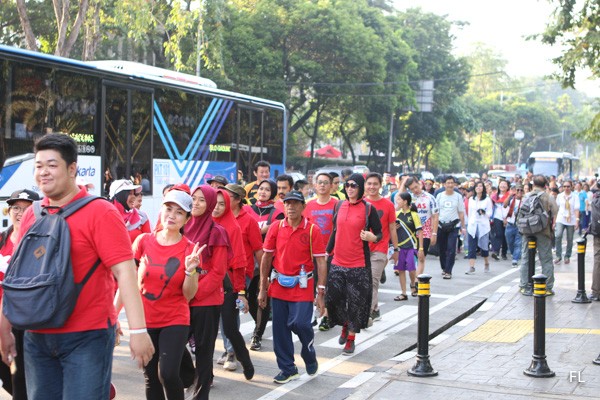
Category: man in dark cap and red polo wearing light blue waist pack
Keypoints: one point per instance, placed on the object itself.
(291, 245)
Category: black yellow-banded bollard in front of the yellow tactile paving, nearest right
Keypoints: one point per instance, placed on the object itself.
(539, 367)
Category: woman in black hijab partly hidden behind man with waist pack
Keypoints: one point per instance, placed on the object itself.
(264, 212)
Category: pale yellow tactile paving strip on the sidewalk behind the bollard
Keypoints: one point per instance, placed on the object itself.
(511, 331)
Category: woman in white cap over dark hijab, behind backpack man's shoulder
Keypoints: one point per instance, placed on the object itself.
(123, 195)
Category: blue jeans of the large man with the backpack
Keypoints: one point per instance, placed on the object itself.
(69, 366)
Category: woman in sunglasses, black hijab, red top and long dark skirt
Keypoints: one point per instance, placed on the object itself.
(349, 283)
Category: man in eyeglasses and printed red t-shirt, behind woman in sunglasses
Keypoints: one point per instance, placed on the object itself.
(319, 210)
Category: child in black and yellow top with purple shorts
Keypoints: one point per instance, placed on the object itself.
(408, 227)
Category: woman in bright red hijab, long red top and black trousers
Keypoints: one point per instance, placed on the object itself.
(234, 285)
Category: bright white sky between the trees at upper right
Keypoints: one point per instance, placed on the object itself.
(503, 25)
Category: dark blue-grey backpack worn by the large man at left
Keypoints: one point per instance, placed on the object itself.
(39, 289)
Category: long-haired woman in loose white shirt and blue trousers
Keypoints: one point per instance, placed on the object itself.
(479, 213)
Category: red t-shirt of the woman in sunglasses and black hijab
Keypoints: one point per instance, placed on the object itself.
(348, 251)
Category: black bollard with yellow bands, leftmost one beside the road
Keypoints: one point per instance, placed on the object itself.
(423, 366)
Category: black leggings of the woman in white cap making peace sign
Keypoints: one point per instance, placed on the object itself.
(162, 371)
